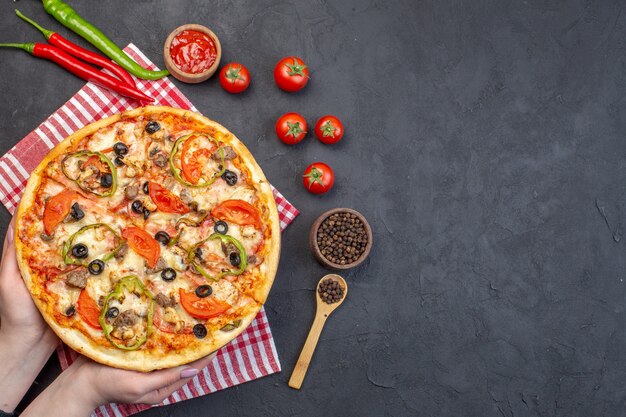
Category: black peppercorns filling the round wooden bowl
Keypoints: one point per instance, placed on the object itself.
(342, 238)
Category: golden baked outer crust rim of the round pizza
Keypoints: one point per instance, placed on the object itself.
(142, 360)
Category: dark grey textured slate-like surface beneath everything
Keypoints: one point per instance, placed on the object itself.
(484, 139)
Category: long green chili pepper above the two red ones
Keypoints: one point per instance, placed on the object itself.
(73, 21)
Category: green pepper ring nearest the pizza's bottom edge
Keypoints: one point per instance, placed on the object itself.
(133, 285)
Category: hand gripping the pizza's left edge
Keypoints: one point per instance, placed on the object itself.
(26, 341)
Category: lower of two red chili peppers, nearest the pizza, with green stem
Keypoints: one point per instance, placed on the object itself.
(79, 68)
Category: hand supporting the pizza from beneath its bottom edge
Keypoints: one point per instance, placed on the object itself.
(86, 385)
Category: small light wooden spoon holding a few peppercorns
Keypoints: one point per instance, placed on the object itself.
(323, 311)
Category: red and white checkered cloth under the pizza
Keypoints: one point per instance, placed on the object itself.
(253, 354)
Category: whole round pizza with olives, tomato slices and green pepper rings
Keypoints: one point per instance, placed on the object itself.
(148, 239)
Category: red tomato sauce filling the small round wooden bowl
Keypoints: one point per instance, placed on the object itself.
(193, 51)
